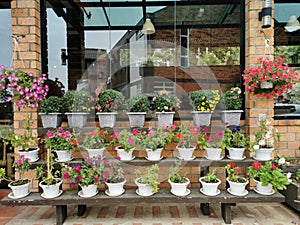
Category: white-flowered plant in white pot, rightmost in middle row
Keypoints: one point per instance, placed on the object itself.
(265, 139)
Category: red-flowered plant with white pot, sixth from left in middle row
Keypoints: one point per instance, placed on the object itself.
(187, 137)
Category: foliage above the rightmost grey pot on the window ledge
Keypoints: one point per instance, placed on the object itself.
(232, 99)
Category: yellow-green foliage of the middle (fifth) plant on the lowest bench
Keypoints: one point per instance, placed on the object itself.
(150, 178)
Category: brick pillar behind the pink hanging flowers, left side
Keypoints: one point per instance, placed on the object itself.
(26, 28)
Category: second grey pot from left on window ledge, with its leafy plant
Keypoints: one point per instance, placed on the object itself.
(78, 107)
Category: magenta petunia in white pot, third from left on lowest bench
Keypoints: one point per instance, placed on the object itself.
(85, 176)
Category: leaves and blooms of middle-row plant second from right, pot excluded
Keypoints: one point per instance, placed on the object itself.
(235, 138)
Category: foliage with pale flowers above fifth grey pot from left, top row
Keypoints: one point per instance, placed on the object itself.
(166, 102)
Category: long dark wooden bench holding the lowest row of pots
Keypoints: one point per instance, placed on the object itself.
(69, 198)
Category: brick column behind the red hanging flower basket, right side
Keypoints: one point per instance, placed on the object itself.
(255, 48)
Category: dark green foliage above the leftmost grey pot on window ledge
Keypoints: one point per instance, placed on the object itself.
(53, 104)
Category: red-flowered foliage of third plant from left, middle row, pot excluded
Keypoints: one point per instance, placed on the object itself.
(95, 139)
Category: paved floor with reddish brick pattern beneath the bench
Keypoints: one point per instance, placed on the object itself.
(151, 214)
